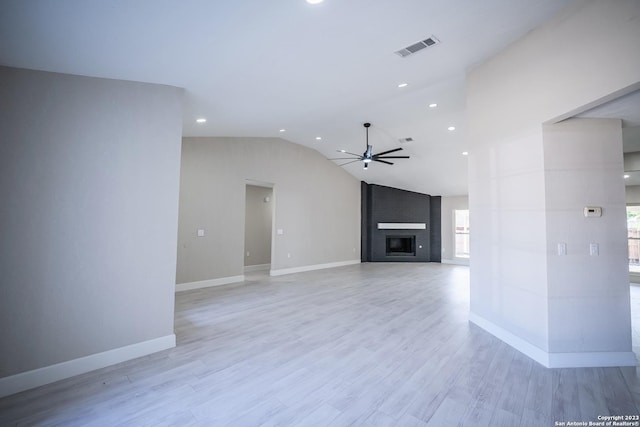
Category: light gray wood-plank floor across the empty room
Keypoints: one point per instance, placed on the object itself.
(370, 345)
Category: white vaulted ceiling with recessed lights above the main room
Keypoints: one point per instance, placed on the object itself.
(252, 67)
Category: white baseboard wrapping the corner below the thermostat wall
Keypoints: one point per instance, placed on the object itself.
(556, 360)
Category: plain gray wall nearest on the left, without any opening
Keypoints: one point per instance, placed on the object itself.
(89, 179)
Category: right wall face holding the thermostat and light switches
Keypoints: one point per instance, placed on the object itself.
(584, 167)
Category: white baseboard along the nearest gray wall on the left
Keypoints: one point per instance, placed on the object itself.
(48, 374)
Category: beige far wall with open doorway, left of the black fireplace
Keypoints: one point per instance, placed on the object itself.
(317, 206)
